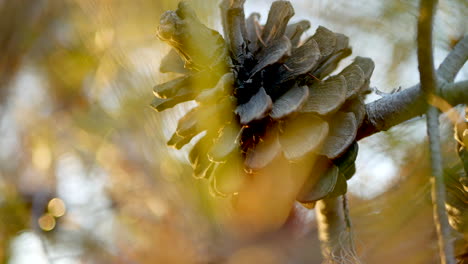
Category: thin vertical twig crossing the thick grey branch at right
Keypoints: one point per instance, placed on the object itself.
(429, 88)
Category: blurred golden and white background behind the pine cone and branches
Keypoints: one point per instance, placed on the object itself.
(85, 176)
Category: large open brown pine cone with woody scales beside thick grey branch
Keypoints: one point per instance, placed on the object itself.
(262, 92)
